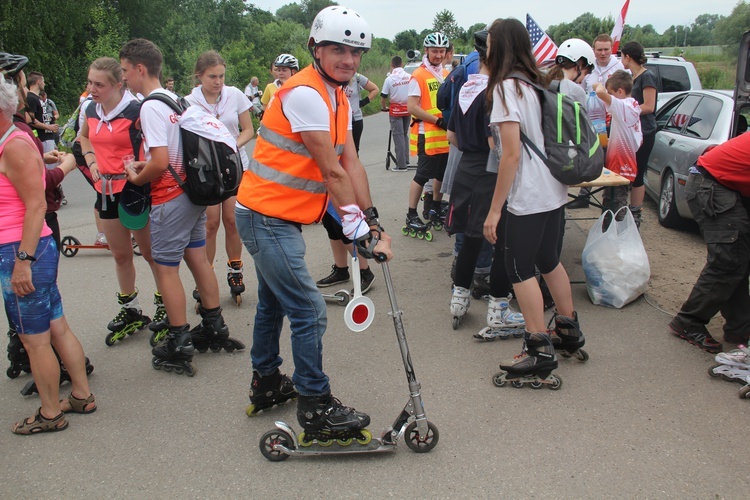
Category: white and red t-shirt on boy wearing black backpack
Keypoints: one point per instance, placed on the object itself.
(161, 128)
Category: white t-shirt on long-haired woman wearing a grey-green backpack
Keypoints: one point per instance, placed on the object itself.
(534, 190)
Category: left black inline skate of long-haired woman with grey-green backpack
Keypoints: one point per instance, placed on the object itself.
(533, 366)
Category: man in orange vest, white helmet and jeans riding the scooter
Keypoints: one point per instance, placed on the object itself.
(304, 156)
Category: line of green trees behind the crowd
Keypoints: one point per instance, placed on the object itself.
(61, 38)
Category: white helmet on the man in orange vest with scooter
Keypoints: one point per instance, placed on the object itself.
(339, 24)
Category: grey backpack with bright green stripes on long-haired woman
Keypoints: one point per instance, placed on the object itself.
(572, 151)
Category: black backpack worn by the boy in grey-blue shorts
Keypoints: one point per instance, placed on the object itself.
(213, 169)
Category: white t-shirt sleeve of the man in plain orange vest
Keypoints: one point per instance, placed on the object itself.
(307, 111)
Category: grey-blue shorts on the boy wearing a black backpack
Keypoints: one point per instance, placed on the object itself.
(176, 225)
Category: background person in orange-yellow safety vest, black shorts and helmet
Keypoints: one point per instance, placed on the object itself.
(427, 138)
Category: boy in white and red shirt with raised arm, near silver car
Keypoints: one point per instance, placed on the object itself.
(625, 134)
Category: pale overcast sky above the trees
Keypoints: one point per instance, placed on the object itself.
(388, 17)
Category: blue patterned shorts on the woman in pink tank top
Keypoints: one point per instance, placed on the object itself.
(33, 313)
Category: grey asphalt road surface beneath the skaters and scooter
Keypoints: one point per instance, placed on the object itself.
(640, 419)
